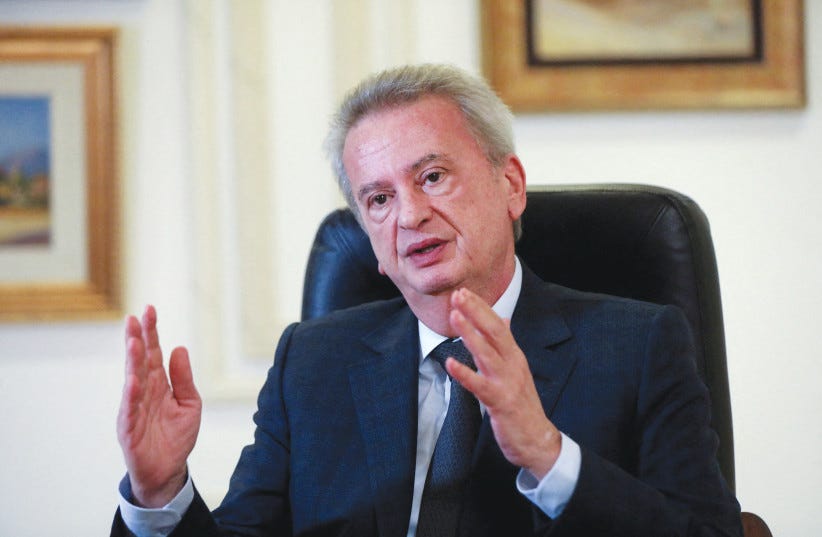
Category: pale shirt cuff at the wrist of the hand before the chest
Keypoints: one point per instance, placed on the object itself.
(552, 494)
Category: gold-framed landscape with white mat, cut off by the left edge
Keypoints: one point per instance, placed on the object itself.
(59, 210)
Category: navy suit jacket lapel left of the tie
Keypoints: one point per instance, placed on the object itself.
(384, 388)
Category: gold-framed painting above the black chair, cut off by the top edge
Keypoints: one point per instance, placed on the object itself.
(564, 55)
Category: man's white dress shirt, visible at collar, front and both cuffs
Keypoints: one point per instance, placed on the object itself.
(550, 495)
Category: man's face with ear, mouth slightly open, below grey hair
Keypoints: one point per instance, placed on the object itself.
(438, 214)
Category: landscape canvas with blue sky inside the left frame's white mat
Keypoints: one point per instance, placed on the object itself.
(25, 171)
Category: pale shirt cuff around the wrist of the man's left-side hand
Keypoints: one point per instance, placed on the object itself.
(154, 522)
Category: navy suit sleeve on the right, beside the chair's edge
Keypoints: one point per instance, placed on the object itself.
(678, 489)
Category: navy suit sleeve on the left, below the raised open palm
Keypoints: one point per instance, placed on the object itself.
(257, 503)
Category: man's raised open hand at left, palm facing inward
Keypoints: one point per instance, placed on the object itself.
(158, 423)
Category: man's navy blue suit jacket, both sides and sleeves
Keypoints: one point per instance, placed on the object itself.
(334, 448)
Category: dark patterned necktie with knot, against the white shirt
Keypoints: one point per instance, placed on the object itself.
(451, 463)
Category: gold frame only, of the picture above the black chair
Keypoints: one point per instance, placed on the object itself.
(773, 77)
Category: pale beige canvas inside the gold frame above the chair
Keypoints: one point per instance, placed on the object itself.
(607, 31)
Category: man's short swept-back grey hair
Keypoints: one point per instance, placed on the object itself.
(487, 117)
